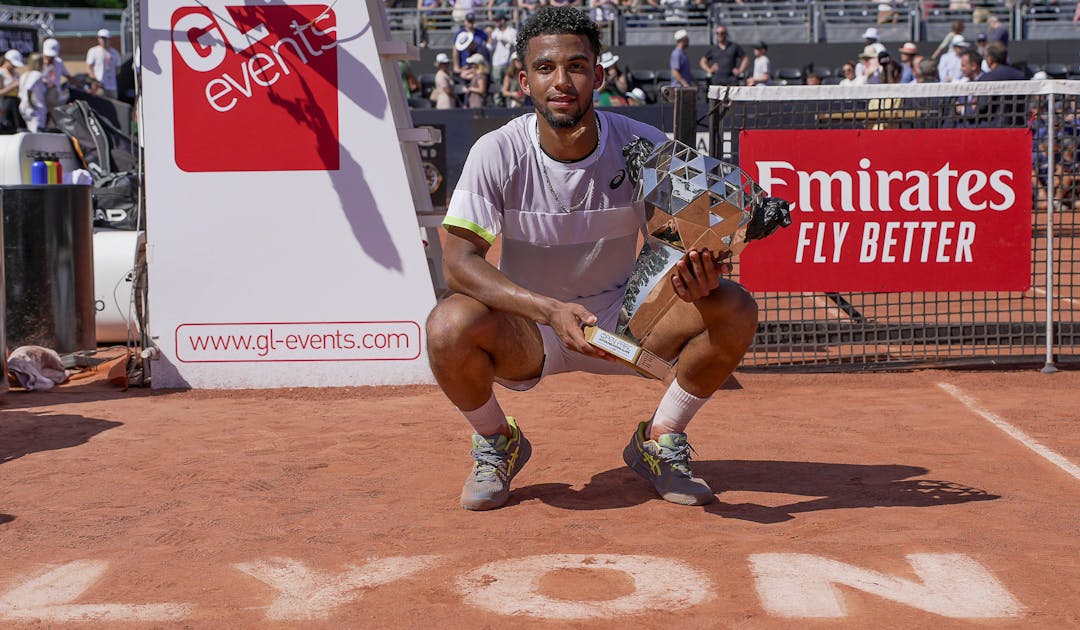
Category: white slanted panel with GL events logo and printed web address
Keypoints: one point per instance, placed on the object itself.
(283, 247)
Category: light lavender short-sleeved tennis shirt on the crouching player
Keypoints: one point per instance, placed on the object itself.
(551, 245)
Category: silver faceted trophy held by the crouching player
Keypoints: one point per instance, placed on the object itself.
(693, 202)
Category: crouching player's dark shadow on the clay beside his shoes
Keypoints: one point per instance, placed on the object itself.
(829, 487)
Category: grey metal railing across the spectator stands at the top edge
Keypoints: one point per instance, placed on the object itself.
(776, 21)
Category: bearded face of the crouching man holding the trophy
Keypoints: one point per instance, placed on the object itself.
(561, 74)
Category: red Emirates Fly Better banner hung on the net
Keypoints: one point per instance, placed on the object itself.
(894, 210)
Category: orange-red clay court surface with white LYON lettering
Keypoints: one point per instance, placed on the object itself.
(339, 508)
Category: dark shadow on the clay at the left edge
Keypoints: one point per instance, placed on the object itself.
(26, 433)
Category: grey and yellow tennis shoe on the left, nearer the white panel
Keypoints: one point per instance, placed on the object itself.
(497, 461)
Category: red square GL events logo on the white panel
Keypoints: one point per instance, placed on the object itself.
(255, 89)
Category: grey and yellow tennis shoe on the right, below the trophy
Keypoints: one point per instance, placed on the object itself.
(666, 464)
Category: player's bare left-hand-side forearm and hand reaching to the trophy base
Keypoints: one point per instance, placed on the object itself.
(469, 273)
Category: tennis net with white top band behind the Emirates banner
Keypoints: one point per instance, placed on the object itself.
(874, 331)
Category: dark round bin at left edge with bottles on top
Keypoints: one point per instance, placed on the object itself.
(49, 264)
